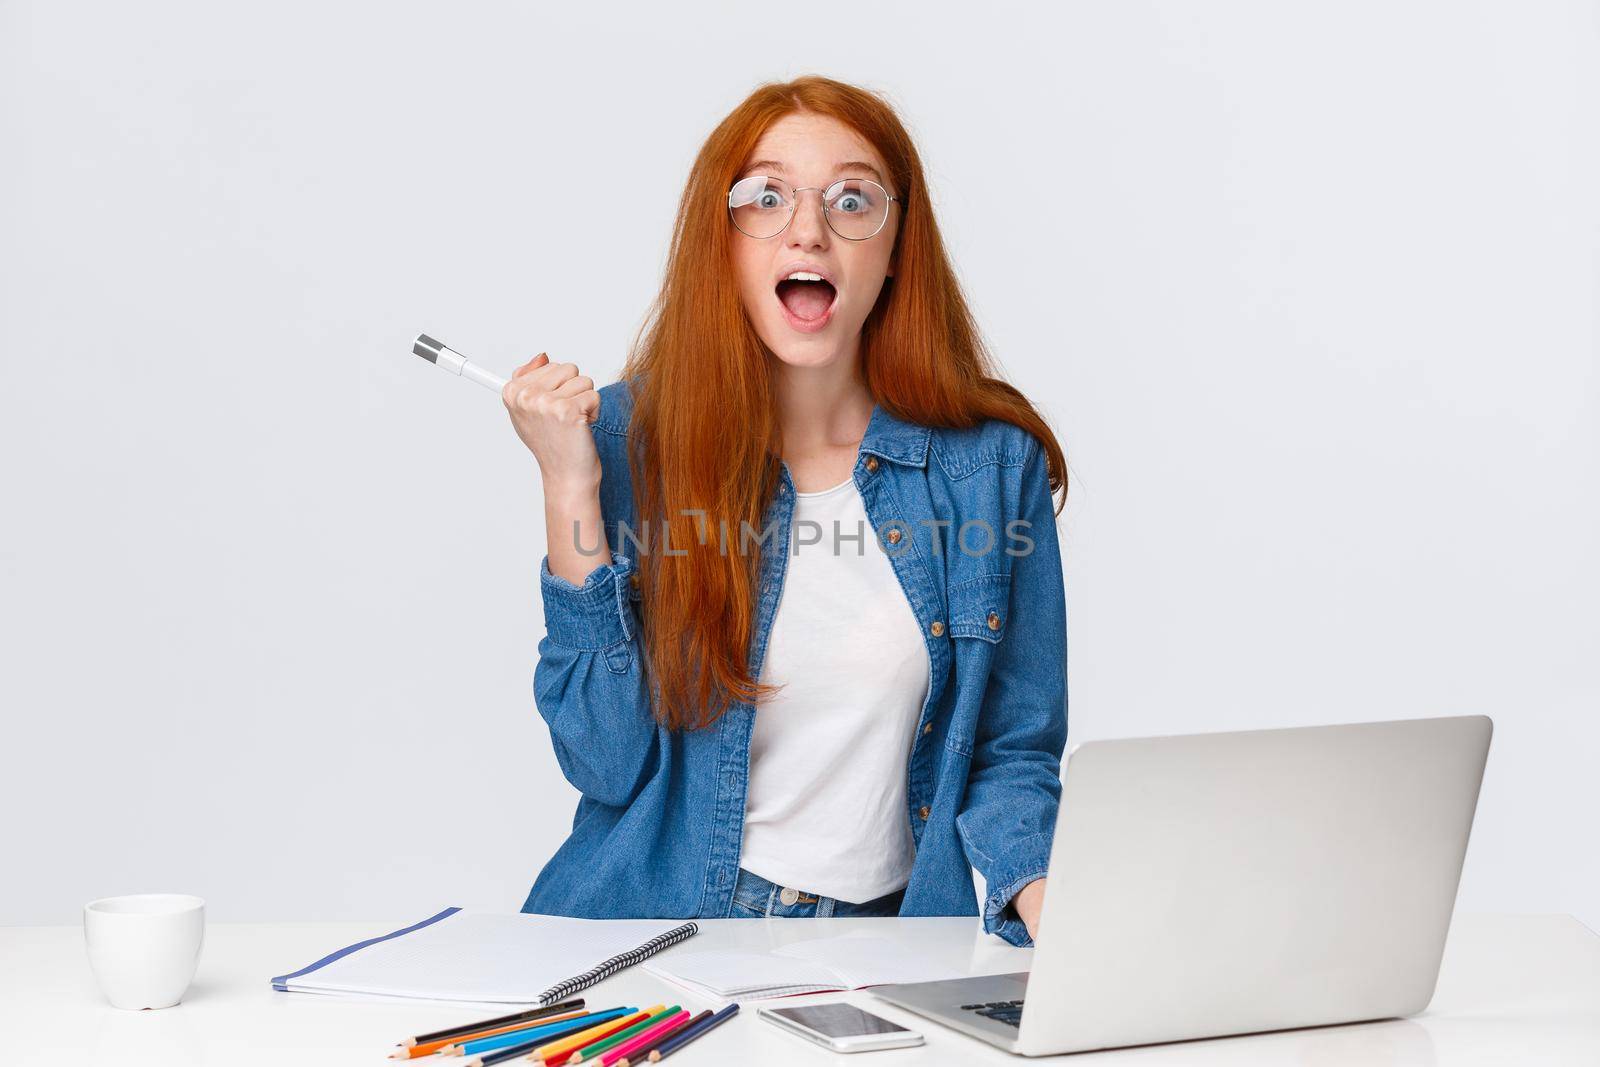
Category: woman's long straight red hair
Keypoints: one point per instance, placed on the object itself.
(705, 430)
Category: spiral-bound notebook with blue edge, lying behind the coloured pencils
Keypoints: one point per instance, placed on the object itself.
(489, 957)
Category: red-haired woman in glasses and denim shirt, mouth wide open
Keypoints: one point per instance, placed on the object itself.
(806, 618)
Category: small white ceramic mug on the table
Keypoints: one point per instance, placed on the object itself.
(145, 948)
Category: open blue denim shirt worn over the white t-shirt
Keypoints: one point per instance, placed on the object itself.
(662, 817)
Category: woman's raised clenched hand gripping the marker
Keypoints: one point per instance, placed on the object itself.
(551, 407)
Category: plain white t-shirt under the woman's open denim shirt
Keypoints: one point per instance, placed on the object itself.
(826, 804)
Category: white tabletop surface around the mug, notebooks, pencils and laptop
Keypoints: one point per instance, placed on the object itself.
(1514, 989)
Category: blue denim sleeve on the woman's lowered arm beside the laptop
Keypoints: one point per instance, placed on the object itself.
(1014, 788)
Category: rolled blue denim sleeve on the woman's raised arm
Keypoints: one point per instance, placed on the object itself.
(590, 684)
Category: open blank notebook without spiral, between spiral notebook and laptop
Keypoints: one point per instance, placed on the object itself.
(809, 967)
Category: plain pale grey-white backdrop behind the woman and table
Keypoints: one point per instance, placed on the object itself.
(1308, 290)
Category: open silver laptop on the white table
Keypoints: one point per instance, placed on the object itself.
(1233, 884)
